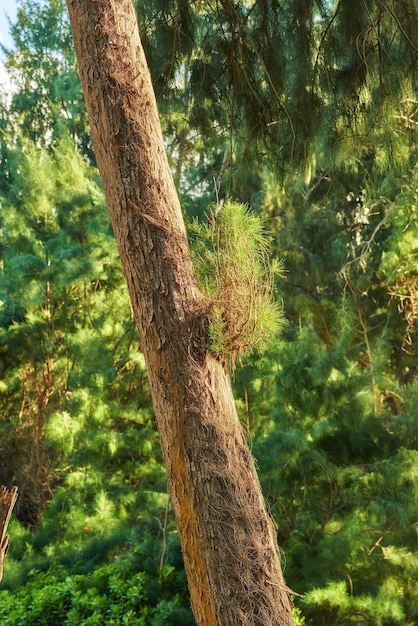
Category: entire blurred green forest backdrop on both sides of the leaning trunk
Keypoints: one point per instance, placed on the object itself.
(306, 113)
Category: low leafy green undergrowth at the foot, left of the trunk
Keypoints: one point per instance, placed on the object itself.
(130, 576)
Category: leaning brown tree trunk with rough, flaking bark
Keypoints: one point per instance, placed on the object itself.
(227, 536)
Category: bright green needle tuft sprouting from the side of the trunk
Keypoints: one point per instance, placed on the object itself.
(231, 256)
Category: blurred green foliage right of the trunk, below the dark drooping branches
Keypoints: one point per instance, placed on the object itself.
(330, 407)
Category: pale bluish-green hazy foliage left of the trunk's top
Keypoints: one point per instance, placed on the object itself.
(47, 100)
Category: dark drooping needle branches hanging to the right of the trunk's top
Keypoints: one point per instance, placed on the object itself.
(288, 86)
